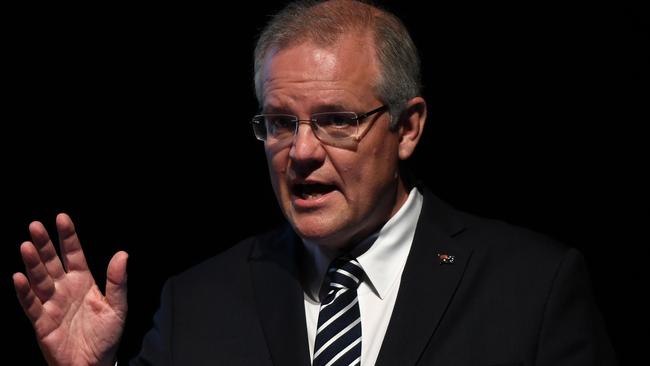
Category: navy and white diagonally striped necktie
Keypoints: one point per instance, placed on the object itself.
(338, 337)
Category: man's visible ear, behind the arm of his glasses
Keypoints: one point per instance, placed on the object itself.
(411, 126)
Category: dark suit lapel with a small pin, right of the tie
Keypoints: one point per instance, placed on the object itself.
(427, 286)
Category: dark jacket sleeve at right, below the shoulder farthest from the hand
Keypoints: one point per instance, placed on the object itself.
(572, 331)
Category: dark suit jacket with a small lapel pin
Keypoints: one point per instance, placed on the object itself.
(511, 297)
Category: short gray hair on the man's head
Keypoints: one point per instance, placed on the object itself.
(325, 22)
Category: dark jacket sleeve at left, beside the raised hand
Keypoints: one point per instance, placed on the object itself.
(156, 346)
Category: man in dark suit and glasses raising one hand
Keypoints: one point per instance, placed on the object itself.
(371, 268)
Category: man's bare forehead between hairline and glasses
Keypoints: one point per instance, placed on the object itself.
(308, 73)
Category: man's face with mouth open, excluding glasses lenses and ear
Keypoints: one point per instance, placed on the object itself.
(333, 196)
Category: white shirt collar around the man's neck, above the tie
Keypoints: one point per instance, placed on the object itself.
(382, 255)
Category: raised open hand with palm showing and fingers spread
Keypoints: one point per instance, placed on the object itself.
(75, 323)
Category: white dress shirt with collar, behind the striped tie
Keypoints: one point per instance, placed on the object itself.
(382, 256)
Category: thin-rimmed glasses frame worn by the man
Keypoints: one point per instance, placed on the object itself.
(259, 119)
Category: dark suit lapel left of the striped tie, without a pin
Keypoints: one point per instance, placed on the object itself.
(279, 299)
